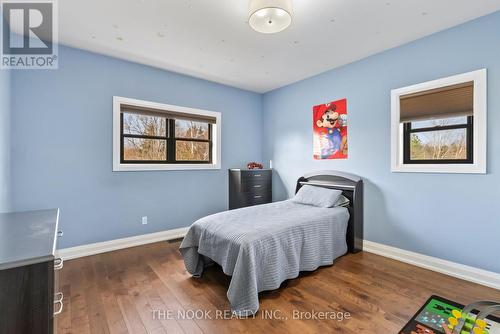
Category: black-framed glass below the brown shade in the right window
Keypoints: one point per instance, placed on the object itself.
(439, 141)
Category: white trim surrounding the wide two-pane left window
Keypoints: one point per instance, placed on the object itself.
(129, 167)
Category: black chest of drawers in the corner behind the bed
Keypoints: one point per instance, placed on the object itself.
(249, 187)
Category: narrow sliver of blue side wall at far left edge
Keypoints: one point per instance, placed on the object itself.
(5, 179)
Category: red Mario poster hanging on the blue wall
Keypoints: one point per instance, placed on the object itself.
(330, 130)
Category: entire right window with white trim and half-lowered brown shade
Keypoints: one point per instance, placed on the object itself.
(440, 126)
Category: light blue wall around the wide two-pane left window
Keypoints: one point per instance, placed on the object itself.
(62, 157)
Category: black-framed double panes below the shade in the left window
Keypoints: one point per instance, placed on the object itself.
(157, 139)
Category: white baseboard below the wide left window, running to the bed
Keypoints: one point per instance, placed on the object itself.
(111, 245)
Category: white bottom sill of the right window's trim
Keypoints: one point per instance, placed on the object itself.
(439, 168)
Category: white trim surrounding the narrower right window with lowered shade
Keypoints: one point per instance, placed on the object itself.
(478, 166)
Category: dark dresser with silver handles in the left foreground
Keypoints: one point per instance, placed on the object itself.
(29, 296)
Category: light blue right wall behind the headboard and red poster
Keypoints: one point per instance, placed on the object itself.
(449, 216)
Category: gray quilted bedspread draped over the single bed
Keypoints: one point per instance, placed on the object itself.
(264, 245)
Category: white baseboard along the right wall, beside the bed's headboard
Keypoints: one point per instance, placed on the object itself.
(471, 274)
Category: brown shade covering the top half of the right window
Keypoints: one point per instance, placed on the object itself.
(450, 101)
